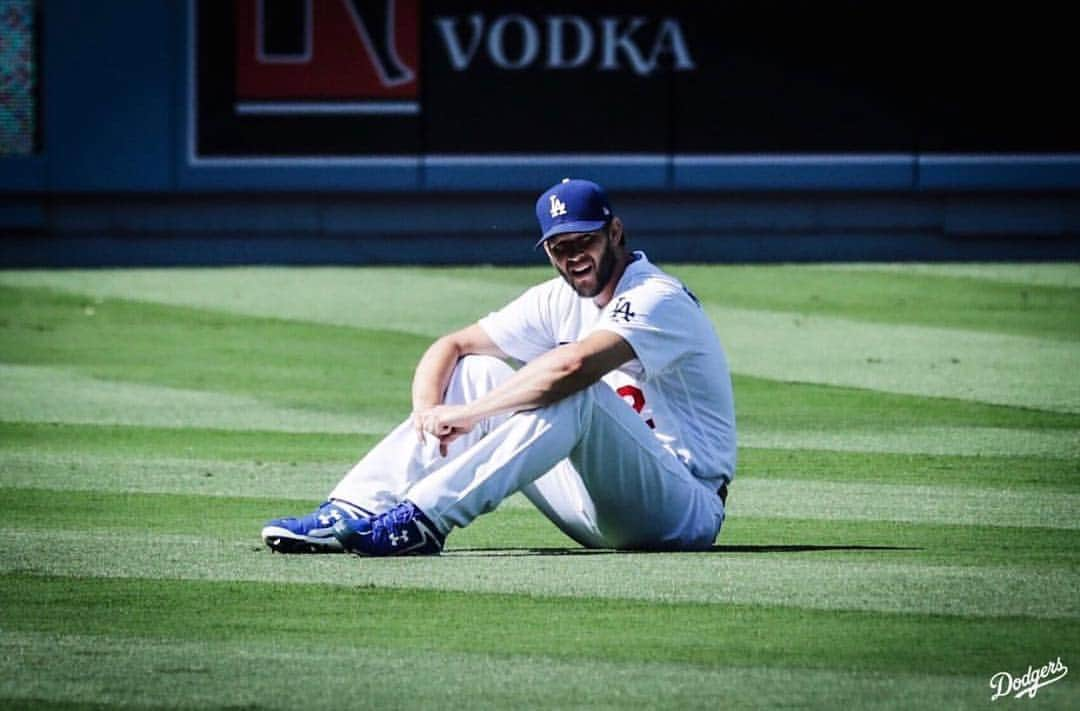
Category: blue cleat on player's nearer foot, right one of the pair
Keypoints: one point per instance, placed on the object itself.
(402, 531)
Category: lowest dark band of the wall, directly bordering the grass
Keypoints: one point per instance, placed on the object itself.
(119, 251)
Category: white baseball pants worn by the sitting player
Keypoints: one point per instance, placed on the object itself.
(588, 463)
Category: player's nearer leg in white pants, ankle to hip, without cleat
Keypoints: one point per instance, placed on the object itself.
(633, 493)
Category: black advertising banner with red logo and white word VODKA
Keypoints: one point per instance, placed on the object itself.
(462, 78)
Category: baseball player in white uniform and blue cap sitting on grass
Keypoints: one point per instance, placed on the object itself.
(619, 425)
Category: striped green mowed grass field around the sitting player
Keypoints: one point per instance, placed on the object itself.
(906, 522)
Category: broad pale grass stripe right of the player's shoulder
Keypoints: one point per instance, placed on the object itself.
(1002, 369)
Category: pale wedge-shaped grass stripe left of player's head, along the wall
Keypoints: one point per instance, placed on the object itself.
(438, 300)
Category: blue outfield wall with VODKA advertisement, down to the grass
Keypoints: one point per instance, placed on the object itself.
(730, 131)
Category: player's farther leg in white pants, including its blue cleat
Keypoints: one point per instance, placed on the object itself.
(382, 478)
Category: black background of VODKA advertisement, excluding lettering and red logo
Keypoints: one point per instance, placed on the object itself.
(772, 77)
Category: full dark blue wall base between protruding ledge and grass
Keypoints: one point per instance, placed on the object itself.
(499, 229)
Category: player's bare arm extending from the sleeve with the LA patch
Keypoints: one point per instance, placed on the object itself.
(556, 375)
